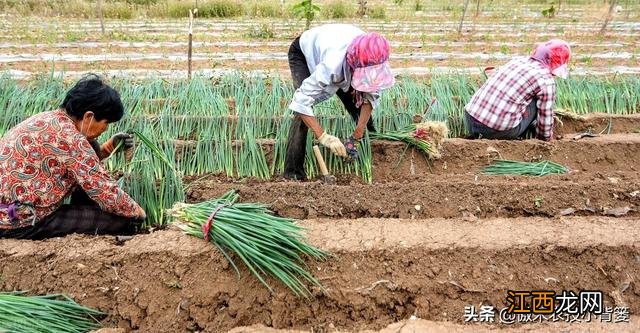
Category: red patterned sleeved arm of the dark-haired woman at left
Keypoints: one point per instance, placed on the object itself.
(85, 167)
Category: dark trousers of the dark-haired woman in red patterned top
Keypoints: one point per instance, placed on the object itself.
(82, 216)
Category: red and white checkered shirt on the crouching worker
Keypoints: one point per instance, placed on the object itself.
(502, 101)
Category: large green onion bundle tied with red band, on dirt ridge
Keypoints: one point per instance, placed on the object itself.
(267, 244)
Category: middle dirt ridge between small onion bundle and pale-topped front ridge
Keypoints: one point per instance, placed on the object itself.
(439, 196)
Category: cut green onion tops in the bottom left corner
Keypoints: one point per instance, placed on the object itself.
(50, 313)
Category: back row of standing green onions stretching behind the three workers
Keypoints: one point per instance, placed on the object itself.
(233, 104)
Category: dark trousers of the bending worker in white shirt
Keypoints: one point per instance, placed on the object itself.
(297, 140)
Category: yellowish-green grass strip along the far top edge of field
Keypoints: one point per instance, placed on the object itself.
(329, 9)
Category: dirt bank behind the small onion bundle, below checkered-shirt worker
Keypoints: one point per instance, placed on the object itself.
(610, 153)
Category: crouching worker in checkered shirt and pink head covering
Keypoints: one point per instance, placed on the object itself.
(520, 96)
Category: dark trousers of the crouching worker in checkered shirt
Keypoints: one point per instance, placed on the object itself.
(478, 130)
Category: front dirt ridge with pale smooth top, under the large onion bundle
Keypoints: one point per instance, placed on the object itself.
(384, 271)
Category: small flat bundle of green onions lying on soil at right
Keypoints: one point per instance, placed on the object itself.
(507, 167)
